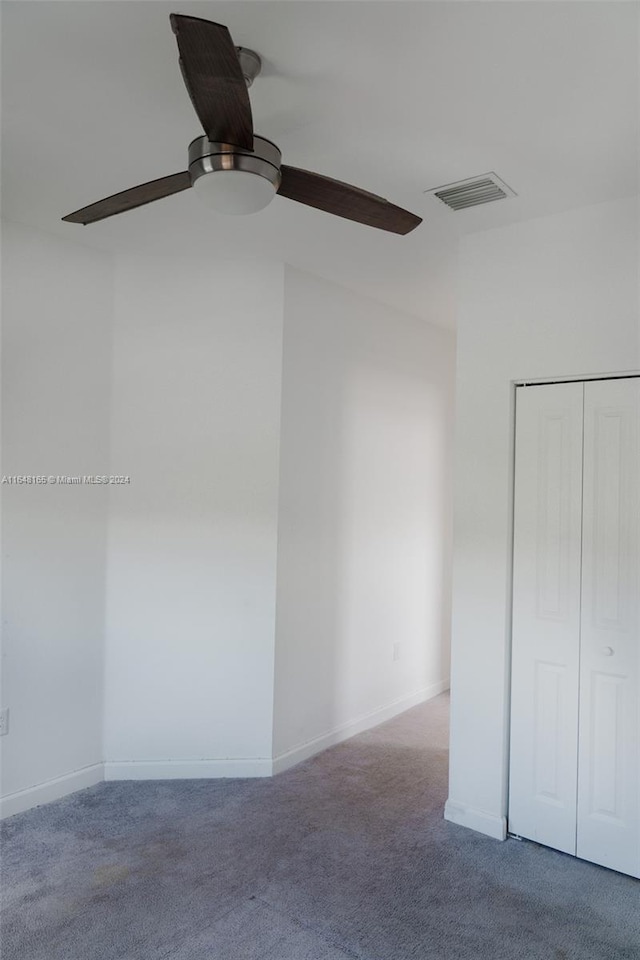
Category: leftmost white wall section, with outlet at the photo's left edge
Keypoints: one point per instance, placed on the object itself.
(57, 316)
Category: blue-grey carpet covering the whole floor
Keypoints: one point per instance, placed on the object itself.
(345, 856)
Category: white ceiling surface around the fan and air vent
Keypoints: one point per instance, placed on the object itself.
(394, 97)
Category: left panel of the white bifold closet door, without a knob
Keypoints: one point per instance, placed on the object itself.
(546, 614)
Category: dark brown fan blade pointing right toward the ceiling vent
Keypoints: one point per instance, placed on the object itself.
(345, 201)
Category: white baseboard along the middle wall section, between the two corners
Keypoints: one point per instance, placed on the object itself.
(186, 769)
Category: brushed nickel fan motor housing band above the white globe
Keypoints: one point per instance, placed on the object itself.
(208, 156)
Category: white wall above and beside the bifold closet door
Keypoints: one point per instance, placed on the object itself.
(552, 297)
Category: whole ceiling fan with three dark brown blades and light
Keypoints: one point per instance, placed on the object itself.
(239, 171)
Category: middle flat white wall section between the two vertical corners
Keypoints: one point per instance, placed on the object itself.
(192, 539)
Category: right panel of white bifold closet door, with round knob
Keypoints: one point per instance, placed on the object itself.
(609, 735)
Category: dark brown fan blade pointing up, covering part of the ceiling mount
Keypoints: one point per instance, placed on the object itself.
(214, 79)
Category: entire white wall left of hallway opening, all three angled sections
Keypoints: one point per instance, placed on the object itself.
(176, 381)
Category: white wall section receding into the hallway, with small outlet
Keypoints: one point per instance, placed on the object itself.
(364, 517)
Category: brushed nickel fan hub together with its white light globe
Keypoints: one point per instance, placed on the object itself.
(234, 180)
